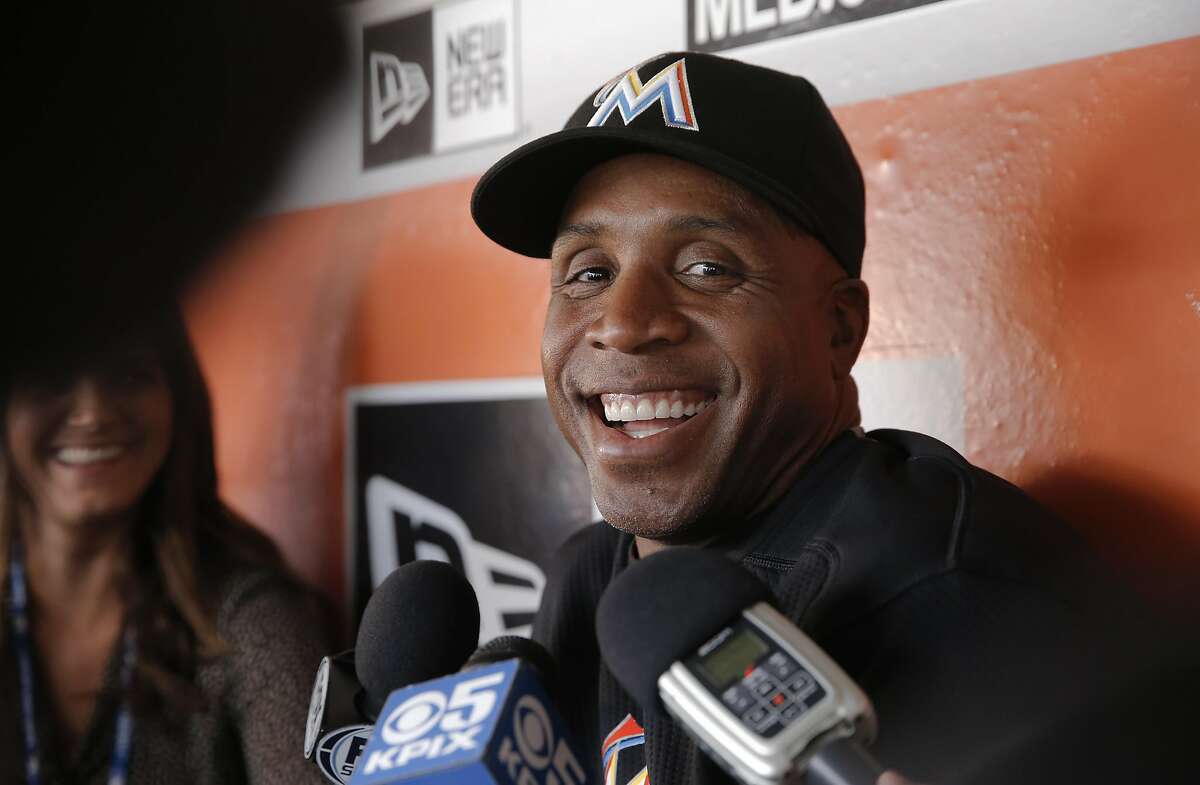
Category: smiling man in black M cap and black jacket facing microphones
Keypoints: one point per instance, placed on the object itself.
(705, 226)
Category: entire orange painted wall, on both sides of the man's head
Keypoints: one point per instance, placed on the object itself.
(1040, 226)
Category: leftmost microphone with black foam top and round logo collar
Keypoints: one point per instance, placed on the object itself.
(422, 622)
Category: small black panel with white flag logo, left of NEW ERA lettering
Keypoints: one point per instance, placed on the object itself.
(398, 91)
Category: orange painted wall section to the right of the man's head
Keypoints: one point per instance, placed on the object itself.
(1043, 227)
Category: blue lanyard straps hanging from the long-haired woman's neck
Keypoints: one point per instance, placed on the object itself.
(19, 602)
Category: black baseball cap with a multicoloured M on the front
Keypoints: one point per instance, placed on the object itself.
(766, 130)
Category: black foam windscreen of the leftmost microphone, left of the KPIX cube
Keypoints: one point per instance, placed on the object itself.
(421, 624)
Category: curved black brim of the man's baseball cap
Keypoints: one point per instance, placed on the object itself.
(520, 201)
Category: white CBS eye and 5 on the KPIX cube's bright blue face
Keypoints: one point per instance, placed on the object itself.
(457, 716)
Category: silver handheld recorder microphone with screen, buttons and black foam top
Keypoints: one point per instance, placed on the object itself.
(694, 631)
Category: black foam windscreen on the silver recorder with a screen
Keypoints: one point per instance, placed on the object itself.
(664, 608)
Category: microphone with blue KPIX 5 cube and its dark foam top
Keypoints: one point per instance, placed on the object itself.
(493, 723)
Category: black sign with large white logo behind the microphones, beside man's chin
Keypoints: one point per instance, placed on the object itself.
(488, 486)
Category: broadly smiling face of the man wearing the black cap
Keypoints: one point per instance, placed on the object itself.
(697, 346)
